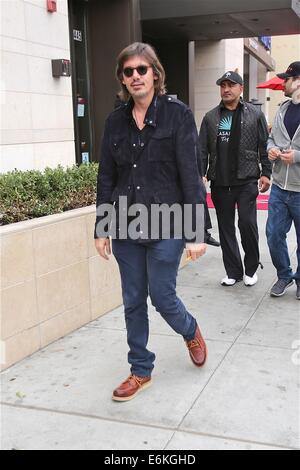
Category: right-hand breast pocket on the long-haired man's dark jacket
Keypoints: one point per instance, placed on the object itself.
(161, 147)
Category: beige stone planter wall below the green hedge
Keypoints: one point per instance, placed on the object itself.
(52, 281)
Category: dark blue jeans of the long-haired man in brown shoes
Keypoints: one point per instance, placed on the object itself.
(150, 268)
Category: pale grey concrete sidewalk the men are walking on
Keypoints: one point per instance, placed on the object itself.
(246, 396)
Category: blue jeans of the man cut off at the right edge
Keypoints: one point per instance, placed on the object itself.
(284, 208)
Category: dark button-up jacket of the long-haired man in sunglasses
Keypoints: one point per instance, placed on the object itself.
(166, 169)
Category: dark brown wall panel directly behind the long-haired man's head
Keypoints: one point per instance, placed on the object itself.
(112, 26)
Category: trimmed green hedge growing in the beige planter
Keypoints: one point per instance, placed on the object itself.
(29, 194)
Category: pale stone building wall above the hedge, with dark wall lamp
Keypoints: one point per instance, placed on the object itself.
(37, 116)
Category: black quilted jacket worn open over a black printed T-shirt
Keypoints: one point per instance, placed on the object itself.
(253, 158)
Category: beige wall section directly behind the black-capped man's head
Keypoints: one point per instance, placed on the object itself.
(212, 60)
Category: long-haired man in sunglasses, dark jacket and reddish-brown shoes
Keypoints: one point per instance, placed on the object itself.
(149, 156)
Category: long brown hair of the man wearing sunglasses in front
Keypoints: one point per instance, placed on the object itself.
(148, 53)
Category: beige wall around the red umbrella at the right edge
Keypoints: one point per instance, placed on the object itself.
(285, 49)
